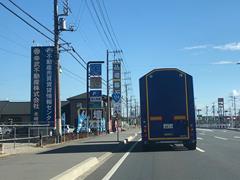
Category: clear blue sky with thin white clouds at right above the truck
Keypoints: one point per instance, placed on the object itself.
(199, 37)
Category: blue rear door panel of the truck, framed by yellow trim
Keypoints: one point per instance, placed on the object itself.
(167, 105)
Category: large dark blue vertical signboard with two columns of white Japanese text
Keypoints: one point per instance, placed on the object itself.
(42, 85)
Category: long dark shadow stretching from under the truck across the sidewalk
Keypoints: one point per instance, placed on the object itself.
(114, 147)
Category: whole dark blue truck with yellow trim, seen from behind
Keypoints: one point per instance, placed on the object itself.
(167, 108)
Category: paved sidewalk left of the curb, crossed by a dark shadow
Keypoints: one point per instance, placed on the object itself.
(55, 160)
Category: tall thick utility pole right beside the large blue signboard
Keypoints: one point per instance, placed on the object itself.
(57, 83)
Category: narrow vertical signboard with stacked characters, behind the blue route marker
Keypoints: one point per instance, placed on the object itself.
(116, 96)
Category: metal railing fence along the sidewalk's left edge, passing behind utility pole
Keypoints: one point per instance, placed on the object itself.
(32, 134)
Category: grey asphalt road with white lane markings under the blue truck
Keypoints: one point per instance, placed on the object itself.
(216, 158)
